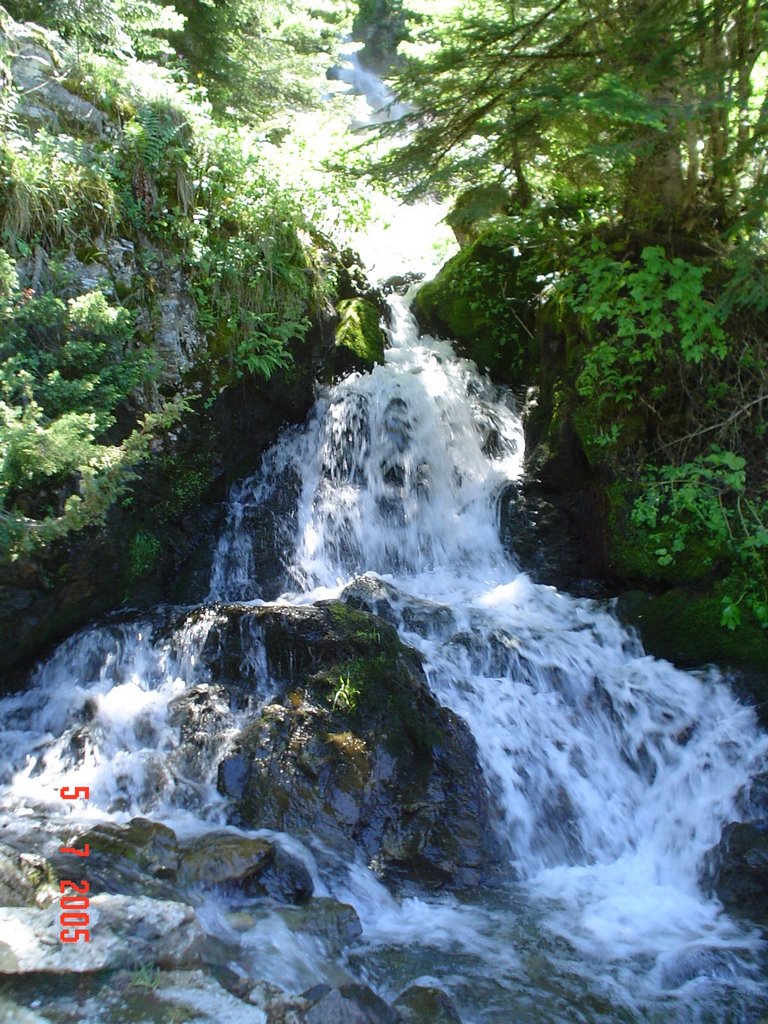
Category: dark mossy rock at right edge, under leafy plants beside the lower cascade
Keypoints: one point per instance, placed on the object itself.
(684, 627)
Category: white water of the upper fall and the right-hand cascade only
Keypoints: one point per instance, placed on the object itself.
(614, 772)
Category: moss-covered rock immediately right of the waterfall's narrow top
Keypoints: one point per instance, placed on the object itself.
(484, 300)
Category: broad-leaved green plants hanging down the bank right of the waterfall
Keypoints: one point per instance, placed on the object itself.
(672, 381)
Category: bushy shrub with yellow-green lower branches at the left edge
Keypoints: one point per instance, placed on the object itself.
(65, 368)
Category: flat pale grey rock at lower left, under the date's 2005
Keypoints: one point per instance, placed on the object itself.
(131, 930)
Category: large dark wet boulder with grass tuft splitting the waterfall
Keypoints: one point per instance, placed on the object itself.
(358, 751)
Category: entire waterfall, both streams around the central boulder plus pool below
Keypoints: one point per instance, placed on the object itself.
(612, 773)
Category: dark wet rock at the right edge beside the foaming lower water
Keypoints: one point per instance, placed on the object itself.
(739, 869)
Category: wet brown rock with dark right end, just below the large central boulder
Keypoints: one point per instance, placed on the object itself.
(253, 867)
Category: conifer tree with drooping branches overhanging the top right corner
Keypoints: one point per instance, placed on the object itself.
(663, 102)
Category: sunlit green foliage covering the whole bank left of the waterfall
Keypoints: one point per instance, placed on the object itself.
(199, 200)
